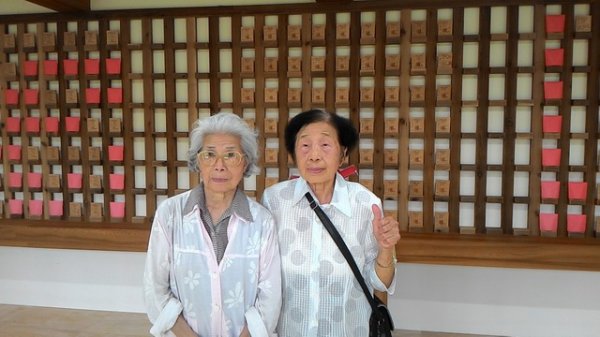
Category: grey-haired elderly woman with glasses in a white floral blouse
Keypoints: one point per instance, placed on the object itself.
(213, 265)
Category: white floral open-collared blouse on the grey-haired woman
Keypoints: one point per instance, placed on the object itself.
(182, 274)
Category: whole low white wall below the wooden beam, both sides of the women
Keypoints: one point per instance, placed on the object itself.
(507, 302)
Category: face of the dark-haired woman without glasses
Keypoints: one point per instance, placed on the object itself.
(318, 153)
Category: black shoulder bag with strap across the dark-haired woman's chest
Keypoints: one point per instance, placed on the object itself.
(380, 323)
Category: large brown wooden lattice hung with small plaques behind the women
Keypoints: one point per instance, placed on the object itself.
(310, 57)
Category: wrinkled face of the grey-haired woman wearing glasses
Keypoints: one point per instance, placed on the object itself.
(221, 163)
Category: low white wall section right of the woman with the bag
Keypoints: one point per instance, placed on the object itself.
(497, 301)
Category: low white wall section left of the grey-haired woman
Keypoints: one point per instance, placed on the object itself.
(72, 278)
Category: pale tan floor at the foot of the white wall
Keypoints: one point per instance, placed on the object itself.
(26, 321)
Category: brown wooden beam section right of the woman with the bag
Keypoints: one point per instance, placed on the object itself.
(499, 251)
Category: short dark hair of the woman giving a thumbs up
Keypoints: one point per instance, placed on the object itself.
(347, 133)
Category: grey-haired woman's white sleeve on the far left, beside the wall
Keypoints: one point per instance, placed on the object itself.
(162, 307)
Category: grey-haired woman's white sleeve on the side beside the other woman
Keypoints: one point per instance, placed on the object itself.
(263, 316)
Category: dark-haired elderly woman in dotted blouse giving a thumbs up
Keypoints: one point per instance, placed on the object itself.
(321, 295)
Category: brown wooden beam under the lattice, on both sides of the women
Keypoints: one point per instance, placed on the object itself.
(428, 248)
